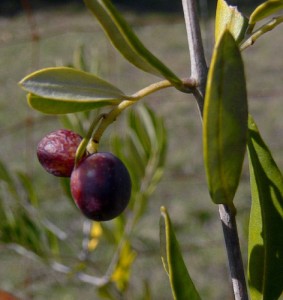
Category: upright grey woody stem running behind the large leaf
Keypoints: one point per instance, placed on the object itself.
(199, 73)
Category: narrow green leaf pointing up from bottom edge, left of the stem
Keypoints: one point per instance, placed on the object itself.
(182, 285)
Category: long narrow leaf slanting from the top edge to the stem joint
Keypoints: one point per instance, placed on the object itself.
(126, 41)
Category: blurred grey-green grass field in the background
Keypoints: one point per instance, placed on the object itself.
(182, 190)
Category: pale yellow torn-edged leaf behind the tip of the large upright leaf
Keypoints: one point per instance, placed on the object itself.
(229, 18)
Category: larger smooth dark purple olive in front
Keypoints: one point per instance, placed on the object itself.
(101, 186)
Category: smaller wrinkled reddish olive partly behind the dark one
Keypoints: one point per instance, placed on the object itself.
(57, 151)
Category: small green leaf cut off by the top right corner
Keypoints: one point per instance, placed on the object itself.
(265, 10)
